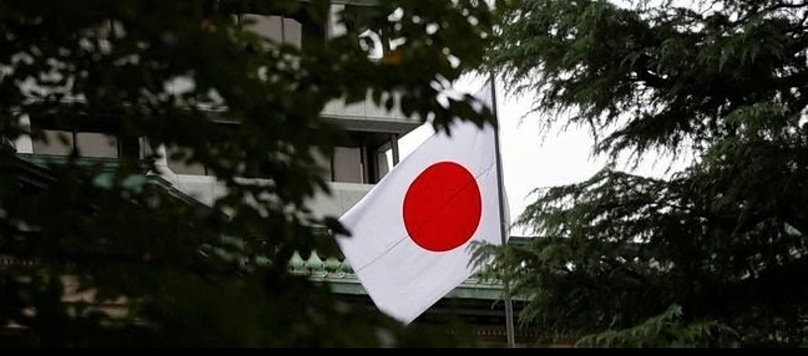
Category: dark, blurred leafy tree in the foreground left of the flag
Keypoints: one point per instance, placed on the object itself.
(164, 271)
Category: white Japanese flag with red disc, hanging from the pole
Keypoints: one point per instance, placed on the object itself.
(410, 235)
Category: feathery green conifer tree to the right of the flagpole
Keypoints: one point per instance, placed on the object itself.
(713, 256)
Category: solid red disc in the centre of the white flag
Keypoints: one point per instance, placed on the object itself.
(442, 207)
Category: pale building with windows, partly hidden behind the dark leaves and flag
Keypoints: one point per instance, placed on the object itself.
(369, 152)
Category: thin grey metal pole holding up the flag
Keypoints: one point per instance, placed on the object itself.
(502, 218)
